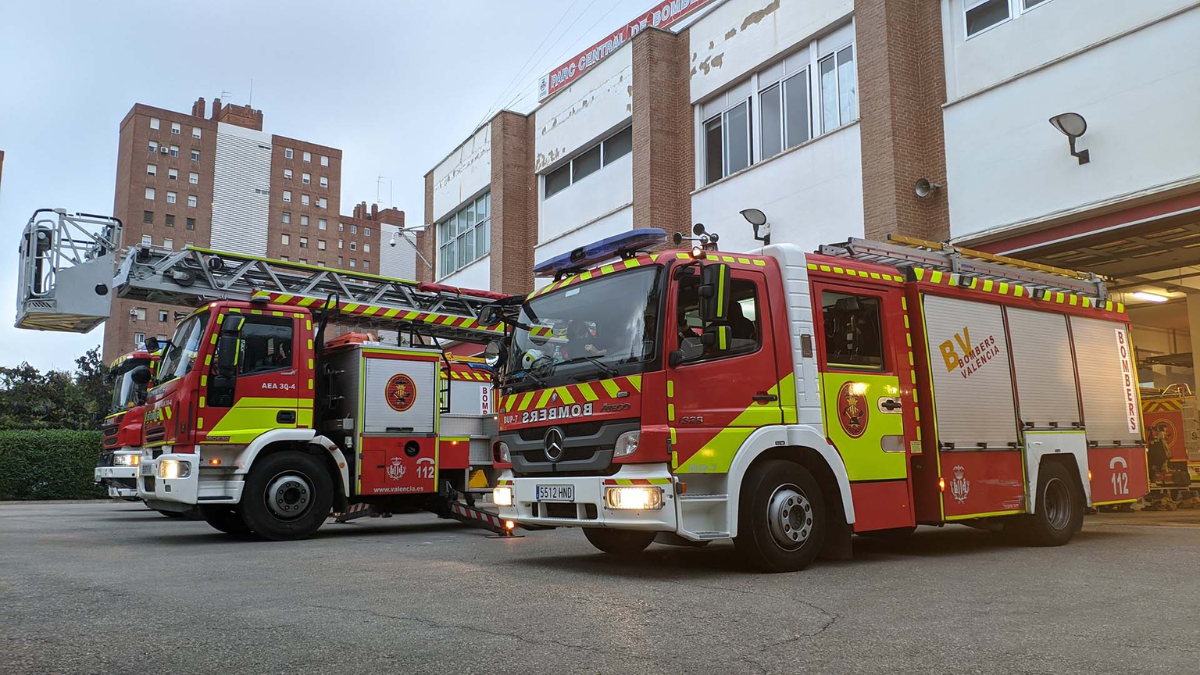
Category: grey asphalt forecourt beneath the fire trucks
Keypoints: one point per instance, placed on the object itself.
(115, 588)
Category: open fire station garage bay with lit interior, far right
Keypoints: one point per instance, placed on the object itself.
(1154, 268)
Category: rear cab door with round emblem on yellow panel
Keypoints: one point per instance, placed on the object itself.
(863, 354)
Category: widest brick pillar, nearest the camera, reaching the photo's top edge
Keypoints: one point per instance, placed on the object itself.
(902, 88)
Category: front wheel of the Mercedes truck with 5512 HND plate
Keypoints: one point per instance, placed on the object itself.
(781, 517)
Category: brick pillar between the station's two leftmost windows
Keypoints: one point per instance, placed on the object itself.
(514, 204)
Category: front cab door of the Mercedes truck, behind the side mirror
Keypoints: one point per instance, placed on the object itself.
(716, 399)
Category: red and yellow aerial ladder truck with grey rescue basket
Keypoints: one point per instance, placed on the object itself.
(254, 415)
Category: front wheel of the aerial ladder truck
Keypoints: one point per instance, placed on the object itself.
(287, 497)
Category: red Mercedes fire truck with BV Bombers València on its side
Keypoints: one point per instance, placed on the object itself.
(788, 401)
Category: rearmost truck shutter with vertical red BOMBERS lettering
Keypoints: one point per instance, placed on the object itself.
(1108, 381)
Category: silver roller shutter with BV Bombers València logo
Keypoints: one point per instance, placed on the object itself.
(973, 383)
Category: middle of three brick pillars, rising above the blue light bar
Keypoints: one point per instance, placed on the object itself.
(663, 132)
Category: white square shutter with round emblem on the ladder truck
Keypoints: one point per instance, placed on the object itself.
(381, 417)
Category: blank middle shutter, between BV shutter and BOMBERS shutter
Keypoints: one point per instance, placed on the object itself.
(1046, 373)
